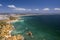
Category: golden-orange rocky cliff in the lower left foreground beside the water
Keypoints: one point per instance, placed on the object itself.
(5, 32)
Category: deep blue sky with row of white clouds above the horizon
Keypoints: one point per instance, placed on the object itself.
(32, 6)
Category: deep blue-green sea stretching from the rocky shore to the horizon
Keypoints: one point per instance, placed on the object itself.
(43, 27)
